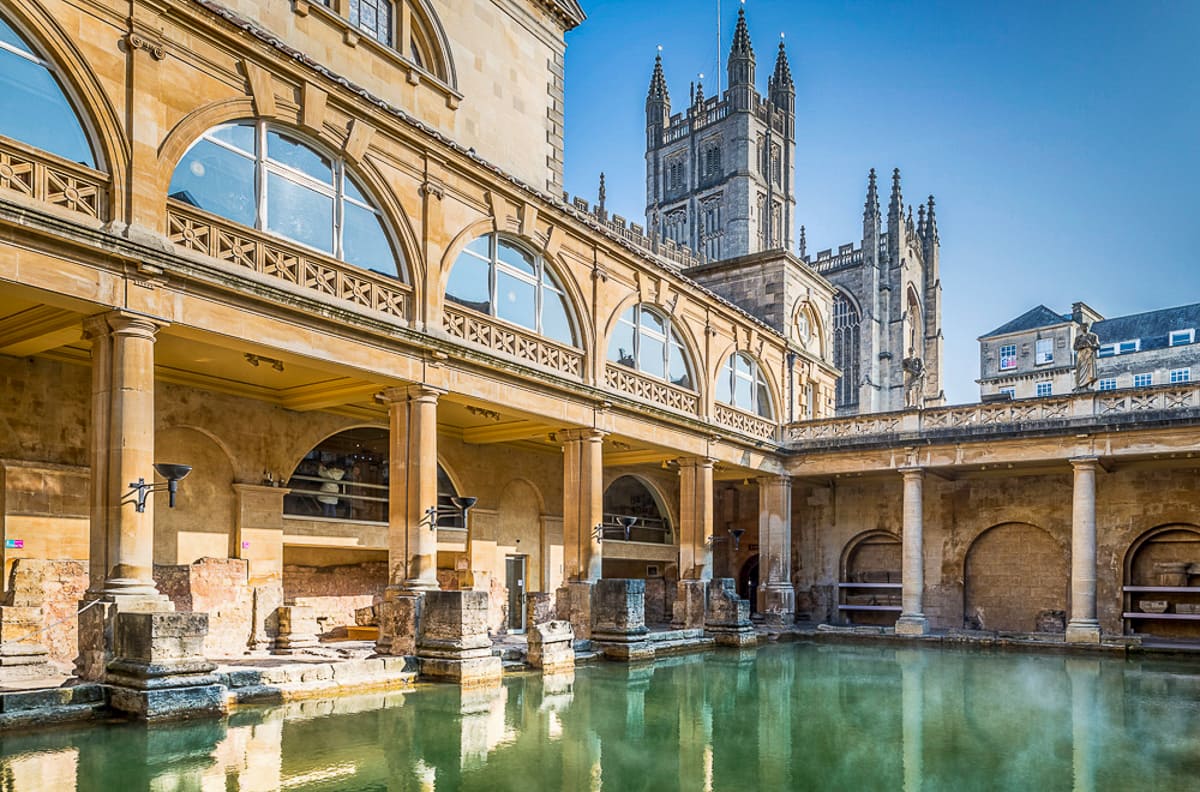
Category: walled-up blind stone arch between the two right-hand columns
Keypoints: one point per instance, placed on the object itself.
(1016, 578)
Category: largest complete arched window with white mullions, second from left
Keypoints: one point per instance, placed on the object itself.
(269, 179)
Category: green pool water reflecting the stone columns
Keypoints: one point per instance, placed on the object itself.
(789, 717)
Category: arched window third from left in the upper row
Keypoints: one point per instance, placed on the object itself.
(496, 277)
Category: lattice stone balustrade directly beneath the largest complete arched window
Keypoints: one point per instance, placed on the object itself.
(212, 236)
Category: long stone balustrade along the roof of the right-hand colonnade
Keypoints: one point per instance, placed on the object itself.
(1069, 412)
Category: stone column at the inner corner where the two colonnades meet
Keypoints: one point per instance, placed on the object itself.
(778, 603)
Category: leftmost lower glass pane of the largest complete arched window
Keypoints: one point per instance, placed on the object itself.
(217, 181)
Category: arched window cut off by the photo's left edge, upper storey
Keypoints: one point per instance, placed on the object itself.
(33, 107)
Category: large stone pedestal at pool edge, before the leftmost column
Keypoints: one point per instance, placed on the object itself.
(160, 671)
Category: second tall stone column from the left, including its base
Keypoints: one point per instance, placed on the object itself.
(412, 532)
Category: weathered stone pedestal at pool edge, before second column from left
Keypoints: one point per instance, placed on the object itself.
(453, 641)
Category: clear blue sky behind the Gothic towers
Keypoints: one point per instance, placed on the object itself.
(1061, 140)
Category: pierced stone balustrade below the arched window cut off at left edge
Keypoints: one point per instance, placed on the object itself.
(51, 181)
